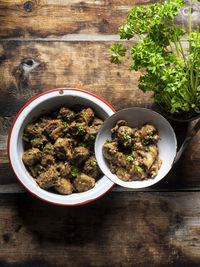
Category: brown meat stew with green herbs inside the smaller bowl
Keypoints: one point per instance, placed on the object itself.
(132, 154)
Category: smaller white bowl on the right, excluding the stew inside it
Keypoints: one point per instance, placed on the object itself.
(136, 117)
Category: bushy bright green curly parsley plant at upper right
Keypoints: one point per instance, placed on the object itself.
(170, 72)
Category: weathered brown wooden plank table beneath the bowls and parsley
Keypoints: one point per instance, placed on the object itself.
(51, 44)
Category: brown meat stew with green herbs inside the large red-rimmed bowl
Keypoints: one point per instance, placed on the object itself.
(59, 150)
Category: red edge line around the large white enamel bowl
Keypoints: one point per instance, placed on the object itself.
(10, 132)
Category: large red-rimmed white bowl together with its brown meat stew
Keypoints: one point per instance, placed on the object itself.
(51, 146)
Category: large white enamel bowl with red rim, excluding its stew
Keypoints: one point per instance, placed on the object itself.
(39, 105)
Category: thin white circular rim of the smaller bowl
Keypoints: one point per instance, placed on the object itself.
(127, 184)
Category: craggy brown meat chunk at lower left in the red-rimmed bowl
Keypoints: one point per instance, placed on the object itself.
(48, 178)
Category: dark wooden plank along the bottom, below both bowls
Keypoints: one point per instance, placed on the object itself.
(120, 229)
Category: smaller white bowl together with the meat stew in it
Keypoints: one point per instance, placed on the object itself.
(135, 147)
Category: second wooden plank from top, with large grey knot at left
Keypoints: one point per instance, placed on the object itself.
(28, 68)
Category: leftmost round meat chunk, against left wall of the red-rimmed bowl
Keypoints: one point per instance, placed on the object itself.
(32, 156)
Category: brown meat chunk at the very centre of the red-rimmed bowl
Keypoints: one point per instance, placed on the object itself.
(63, 148)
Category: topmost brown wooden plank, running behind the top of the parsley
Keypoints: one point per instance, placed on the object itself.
(42, 19)
